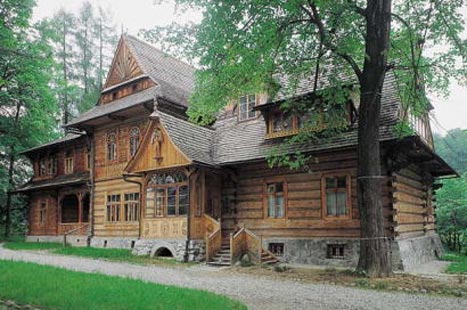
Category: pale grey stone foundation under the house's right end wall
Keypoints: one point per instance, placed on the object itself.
(410, 252)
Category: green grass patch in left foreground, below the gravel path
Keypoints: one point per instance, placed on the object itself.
(56, 288)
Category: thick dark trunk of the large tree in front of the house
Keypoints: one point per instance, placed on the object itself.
(374, 247)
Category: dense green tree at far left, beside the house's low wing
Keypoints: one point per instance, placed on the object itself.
(27, 107)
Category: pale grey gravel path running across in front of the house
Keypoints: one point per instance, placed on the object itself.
(256, 292)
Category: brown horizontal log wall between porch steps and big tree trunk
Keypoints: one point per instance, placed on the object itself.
(246, 201)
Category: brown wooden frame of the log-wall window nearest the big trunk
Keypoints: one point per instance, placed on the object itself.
(348, 198)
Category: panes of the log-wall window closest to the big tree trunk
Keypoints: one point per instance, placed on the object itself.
(336, 196)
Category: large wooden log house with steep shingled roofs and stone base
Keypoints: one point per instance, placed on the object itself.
(137, 174)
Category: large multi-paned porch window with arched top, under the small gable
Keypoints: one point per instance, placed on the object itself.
(167, 194)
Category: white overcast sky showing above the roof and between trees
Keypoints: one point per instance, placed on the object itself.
(133, 15)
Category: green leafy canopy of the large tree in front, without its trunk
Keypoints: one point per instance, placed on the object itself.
(241, 44)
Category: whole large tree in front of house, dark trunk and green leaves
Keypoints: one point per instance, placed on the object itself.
(242, 44)
